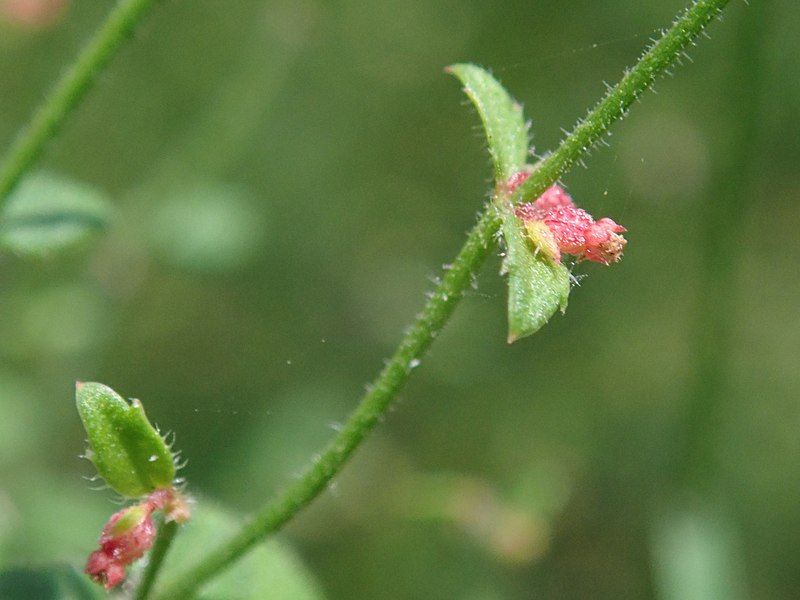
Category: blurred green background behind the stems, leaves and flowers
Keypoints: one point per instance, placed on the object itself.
(288, 178)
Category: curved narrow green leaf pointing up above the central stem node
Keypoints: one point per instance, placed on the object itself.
(502, 118)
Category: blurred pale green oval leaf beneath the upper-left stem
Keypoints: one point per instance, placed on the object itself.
(48, 213)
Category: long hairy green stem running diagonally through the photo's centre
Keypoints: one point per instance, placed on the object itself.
(440, 306)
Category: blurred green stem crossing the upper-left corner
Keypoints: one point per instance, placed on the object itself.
(69, 91)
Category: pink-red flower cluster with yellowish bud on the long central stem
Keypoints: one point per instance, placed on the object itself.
(556, 226)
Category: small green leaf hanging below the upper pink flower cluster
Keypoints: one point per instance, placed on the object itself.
(537, 286)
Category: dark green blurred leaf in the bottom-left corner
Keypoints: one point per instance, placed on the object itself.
(56, 582)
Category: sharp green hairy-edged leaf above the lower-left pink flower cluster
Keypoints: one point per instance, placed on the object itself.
(126, 449)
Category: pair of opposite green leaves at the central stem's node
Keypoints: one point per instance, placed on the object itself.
(537, 286)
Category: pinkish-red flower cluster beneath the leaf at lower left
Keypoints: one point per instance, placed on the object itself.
(130, 533)
